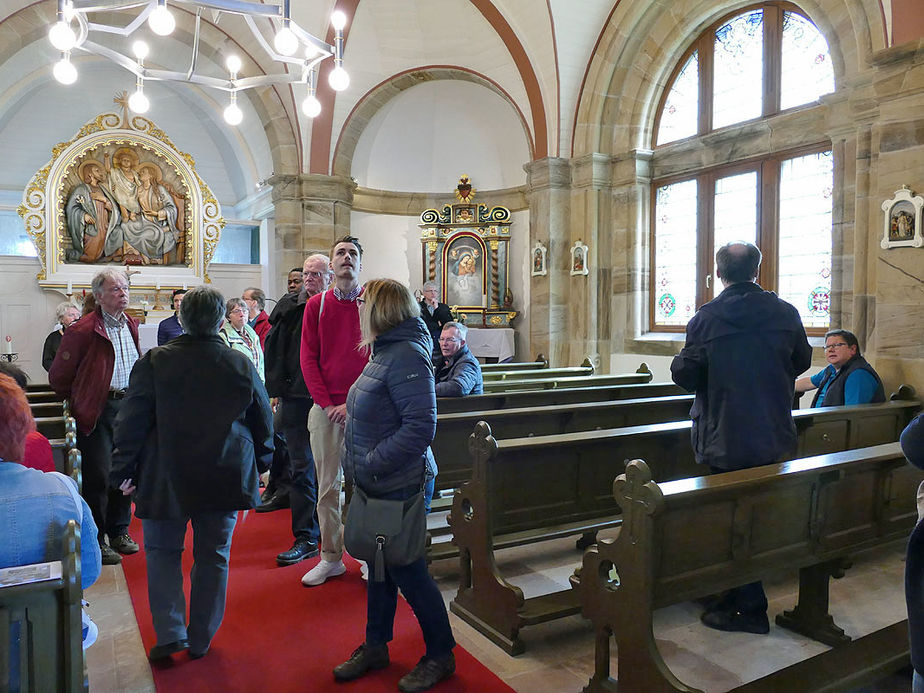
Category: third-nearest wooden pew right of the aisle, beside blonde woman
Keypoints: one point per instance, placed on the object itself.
(450, 447)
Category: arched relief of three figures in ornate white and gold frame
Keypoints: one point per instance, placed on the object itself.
(120, 192)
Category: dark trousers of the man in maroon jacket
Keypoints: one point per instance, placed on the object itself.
(112, 511)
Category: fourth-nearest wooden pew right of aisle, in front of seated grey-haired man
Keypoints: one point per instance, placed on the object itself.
(542, 398)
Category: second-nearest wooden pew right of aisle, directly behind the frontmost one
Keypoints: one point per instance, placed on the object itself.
(546, 487)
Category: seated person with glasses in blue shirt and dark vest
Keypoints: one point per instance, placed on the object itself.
(847, 379)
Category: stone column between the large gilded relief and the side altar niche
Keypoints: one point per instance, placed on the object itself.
(312, 210)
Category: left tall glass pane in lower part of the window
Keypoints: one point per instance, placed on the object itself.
(675, 253)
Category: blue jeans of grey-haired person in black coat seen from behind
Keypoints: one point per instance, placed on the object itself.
(163, 546)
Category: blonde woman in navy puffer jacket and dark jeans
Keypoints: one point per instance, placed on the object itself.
(391, 421)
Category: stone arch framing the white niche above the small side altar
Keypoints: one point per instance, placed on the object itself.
(373, 100)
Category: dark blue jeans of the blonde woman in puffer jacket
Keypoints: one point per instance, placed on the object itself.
(421, 593)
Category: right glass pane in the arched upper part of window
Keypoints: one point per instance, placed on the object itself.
(807, 72)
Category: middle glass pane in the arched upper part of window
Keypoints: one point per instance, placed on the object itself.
(738, 66)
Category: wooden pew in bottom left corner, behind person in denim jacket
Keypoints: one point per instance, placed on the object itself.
(45, 613)
